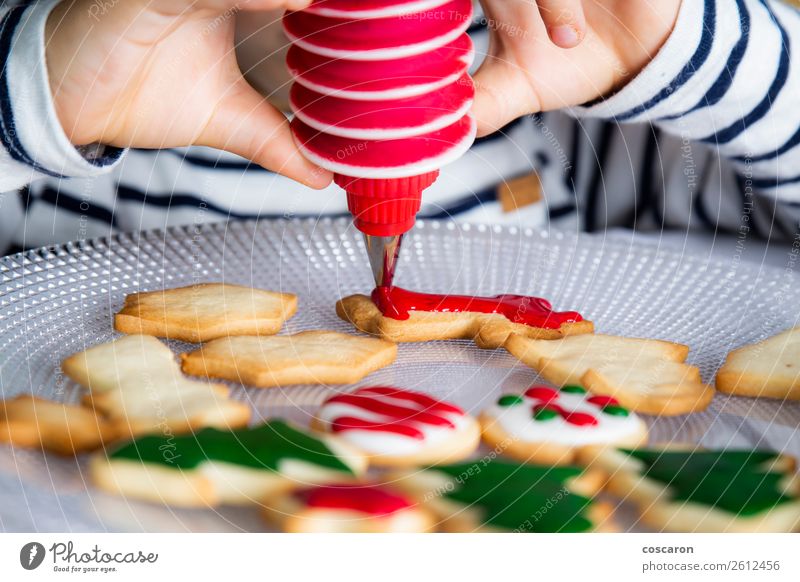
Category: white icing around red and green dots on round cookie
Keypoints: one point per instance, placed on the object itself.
(518, 422)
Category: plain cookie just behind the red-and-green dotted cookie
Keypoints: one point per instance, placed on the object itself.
(645, 375)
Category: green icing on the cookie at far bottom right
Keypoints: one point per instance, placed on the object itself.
(735, 481)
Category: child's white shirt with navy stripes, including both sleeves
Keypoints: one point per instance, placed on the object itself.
(707, 136)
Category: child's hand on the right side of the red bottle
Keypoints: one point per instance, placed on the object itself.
(550, 54)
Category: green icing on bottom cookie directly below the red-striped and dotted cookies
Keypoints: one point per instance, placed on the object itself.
(514, 496)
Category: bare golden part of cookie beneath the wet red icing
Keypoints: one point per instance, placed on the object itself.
(488, 330)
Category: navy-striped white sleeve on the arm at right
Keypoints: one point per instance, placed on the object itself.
(728, 76)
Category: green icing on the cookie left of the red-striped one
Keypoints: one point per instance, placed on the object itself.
(260, 447)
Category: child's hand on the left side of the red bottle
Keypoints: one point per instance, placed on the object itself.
(163, 73)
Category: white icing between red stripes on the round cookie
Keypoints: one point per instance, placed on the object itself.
(384, 443)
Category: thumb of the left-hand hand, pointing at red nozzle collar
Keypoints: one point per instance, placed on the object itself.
(244, 123)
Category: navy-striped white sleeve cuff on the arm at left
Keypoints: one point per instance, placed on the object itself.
(32, 142)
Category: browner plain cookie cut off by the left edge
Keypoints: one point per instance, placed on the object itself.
(33, 422)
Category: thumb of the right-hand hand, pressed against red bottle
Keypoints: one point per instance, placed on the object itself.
(501, 95)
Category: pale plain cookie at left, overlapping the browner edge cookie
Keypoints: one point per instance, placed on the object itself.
(137, 383)
